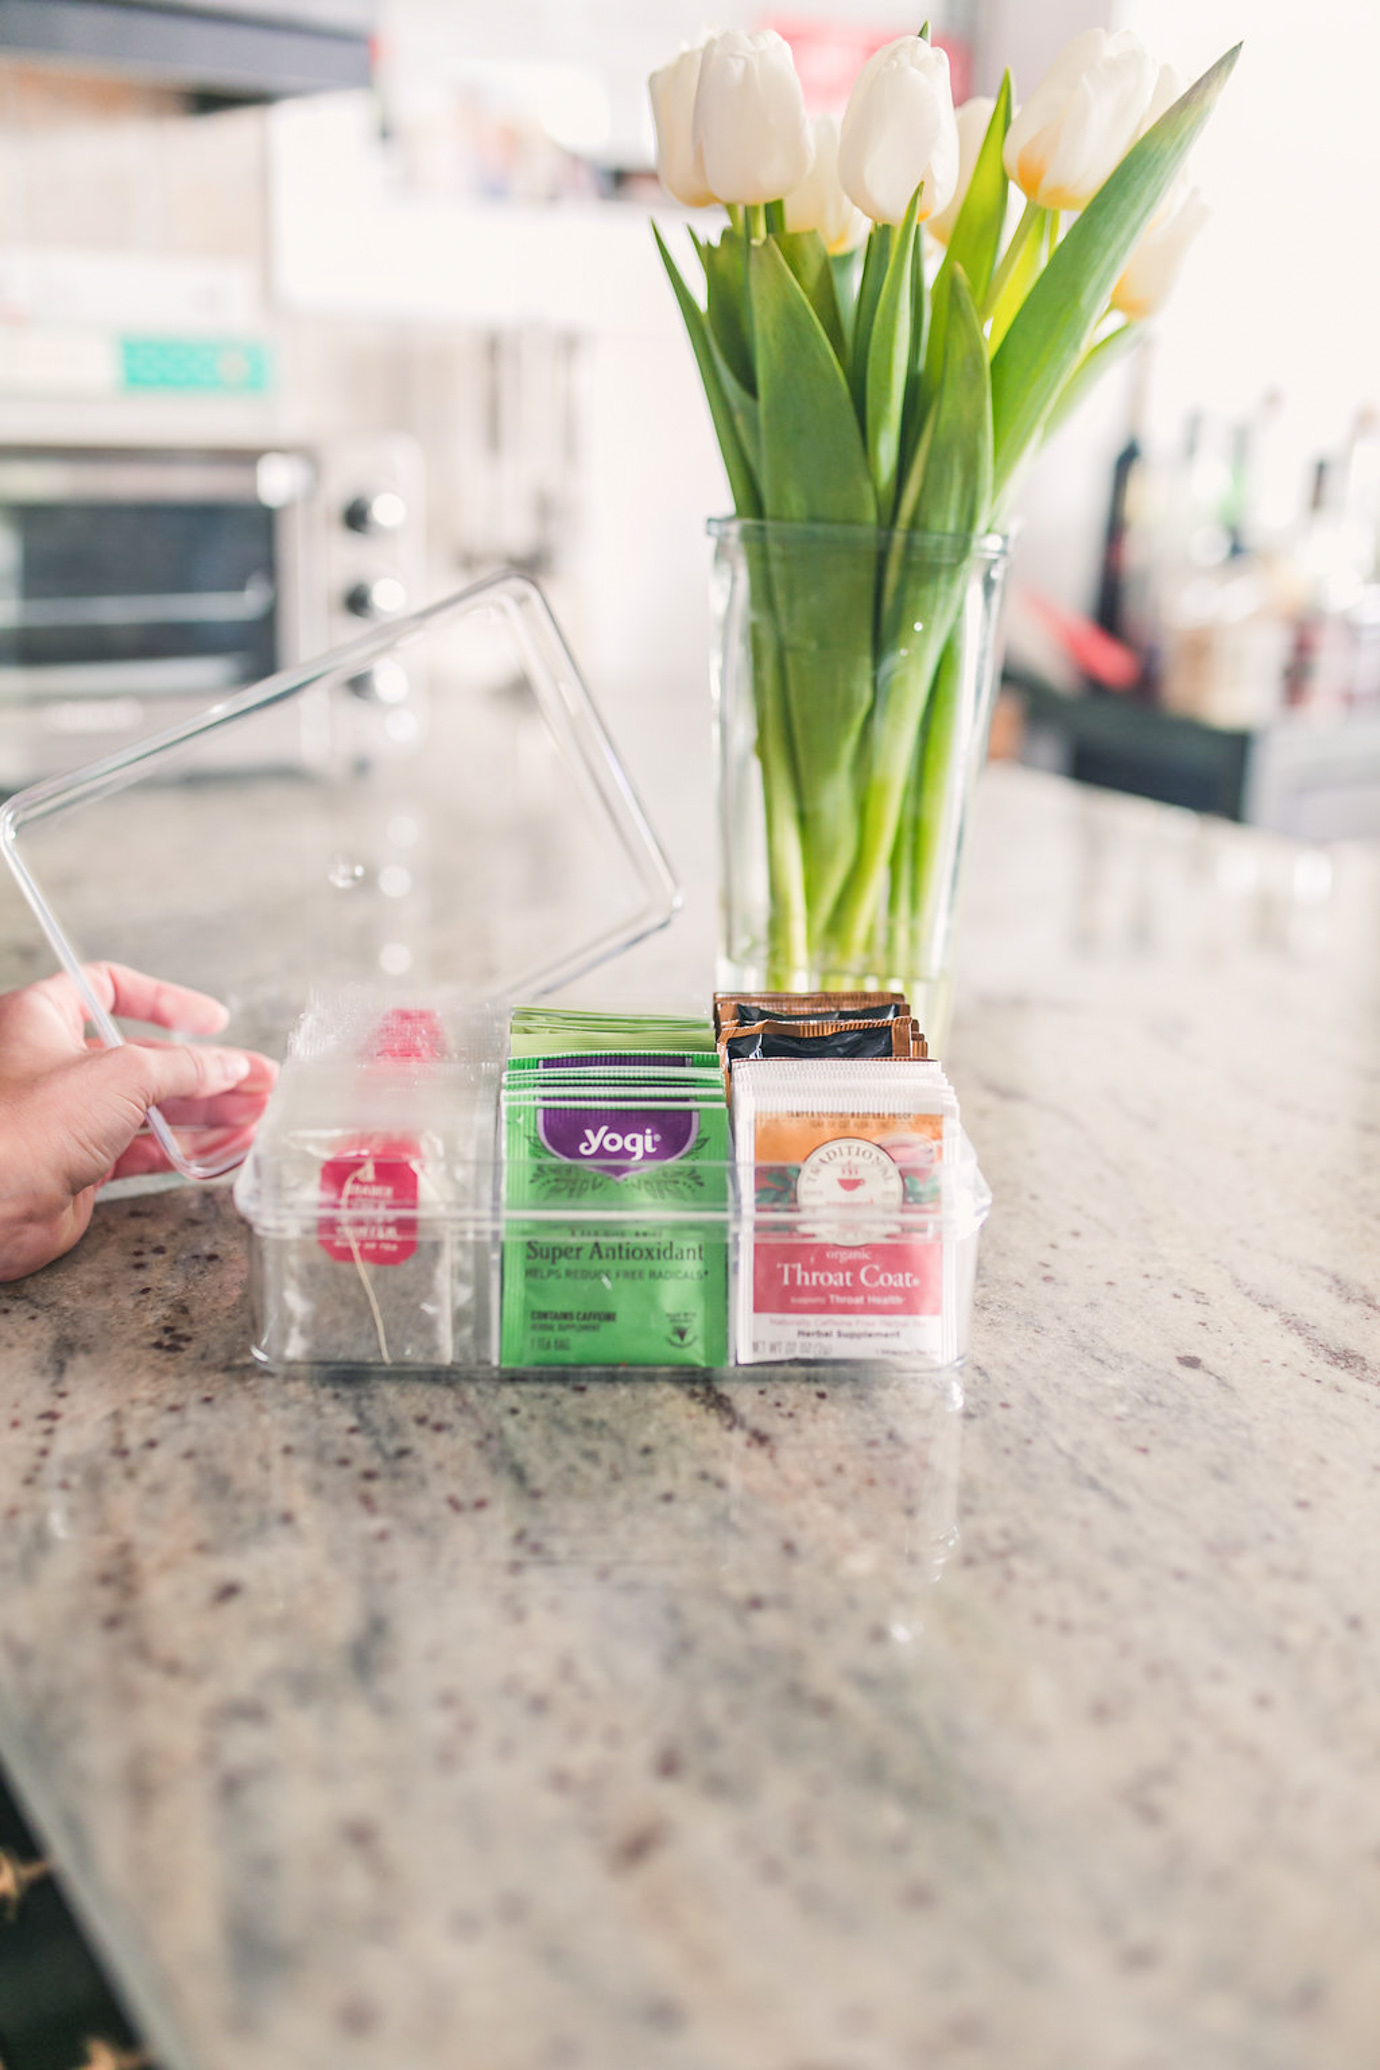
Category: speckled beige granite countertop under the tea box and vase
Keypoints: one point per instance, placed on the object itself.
(762, 1725)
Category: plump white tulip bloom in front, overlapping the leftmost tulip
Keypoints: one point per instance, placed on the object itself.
(750, 121)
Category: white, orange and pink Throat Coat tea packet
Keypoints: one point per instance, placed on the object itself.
(845, 1247)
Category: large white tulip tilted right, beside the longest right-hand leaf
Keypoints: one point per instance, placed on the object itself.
(1081, 121)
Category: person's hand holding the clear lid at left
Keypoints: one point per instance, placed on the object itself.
(73, 1113)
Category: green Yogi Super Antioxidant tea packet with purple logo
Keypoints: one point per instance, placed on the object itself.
(616, 1226)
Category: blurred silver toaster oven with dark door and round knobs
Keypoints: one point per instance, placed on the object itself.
(138, 587)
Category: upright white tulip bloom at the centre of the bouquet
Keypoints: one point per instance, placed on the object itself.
(901, 134)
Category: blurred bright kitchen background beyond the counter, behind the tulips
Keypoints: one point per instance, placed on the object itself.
(313, 309)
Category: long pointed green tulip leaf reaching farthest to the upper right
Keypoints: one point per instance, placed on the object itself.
(1056, 322)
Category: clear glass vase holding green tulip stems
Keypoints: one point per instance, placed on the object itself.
(853, 678)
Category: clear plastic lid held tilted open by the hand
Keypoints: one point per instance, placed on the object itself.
(436, 804)
